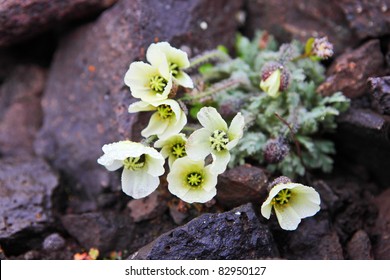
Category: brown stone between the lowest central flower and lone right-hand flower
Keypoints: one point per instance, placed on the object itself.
(241, 185)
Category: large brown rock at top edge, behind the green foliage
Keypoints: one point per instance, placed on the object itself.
(300, 20)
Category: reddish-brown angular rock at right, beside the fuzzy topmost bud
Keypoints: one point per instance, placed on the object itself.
(350, 71)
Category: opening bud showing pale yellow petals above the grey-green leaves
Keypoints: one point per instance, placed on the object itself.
(274, 79)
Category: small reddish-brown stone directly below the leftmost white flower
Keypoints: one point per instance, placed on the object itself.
(147, 208)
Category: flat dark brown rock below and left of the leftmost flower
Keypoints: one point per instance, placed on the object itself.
(106, 231)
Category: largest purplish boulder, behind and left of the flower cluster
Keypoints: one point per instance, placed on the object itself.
(85, 102)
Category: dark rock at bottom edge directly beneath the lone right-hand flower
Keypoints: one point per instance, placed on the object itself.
(315, 239)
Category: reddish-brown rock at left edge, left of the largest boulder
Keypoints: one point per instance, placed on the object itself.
(20, 109)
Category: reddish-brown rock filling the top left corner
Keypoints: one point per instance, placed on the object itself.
(22, 19)
